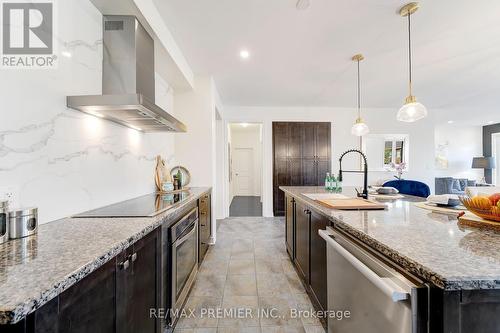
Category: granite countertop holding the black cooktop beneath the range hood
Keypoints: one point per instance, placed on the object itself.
(34, 270)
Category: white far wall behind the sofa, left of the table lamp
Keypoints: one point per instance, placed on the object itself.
(459, 144)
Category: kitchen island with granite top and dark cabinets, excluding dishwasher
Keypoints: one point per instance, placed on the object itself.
(460, 266)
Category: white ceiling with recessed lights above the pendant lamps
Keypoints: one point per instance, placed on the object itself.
(302, 58)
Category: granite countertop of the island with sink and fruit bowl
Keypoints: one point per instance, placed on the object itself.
(424, 243)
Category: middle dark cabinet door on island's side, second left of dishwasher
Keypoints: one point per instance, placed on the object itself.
(302, 228)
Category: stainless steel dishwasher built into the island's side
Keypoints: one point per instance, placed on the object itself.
(378, 298)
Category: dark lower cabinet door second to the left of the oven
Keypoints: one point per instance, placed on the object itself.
(89, 306)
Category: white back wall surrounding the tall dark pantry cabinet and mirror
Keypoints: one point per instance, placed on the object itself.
(381, 121)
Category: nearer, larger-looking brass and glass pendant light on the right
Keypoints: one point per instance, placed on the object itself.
(411, 111)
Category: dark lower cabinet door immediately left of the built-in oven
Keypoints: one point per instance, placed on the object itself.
(137, 286)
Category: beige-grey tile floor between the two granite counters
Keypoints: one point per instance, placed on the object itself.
(248, 269)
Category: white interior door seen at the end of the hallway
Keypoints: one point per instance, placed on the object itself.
(243, 171)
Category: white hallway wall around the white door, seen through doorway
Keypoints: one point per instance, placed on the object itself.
(248, 138)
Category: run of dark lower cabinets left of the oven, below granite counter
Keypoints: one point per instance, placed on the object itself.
(117, 297)
